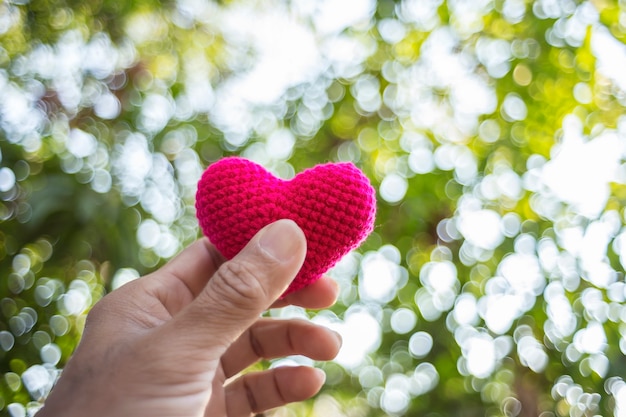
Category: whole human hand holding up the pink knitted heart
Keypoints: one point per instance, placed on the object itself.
(166, 344)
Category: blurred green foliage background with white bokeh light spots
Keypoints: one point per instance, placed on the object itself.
(494, 132)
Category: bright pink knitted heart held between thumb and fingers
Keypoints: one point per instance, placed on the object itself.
(334, 205)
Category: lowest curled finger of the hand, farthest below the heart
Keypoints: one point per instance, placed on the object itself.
(262, 391)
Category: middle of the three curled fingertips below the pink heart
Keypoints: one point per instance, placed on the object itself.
(269, 338)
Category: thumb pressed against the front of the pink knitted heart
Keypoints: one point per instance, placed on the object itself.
(245, 286)
